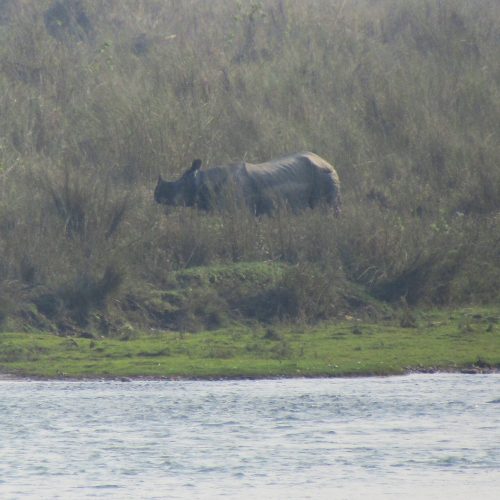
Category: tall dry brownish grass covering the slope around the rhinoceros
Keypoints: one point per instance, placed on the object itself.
(97, 97)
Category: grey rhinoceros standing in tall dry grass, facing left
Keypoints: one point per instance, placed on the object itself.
(297, 181)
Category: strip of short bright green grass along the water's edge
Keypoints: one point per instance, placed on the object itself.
(443, 340)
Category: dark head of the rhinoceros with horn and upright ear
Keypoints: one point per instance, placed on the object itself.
(181, 192)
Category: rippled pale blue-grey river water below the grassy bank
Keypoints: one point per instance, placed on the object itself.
(417, 436)
